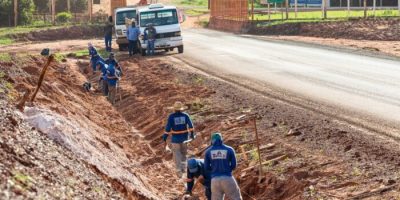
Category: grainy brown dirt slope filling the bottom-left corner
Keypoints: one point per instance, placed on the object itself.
(33, 166)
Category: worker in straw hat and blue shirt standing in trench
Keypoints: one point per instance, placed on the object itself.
(180, 126)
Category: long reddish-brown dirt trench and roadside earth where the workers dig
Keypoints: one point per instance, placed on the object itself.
(305, 155)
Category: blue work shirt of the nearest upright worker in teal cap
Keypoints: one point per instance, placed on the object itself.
(220, 159)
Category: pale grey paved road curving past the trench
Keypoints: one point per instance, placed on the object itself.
(366, 85)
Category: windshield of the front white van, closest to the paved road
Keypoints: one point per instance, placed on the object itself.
(159, 17)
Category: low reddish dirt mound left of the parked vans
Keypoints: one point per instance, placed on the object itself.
(65, 33)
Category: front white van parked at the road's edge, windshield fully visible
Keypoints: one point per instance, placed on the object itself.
(166, 21)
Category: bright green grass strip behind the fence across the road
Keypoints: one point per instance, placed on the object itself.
(336, 14)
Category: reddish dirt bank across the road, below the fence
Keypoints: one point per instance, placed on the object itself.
(370, 29)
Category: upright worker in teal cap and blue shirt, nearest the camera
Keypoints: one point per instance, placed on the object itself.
(220, 159)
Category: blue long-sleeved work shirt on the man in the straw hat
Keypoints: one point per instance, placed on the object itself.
(179, 125)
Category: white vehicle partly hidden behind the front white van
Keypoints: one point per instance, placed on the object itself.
(120, 26)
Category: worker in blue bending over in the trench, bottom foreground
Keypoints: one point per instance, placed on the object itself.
(197, 170)
